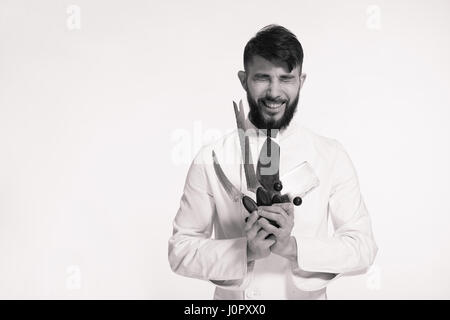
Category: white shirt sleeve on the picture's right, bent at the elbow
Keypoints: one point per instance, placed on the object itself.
(352, 247)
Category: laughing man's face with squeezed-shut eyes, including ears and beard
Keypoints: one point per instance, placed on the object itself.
(272, 92)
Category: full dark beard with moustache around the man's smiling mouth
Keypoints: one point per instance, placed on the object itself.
(260, 122)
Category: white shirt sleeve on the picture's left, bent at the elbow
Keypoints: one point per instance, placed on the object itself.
(192, 252)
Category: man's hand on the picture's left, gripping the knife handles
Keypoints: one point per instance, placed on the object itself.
(258, 246)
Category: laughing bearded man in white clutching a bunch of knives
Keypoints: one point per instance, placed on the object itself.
(277, 250)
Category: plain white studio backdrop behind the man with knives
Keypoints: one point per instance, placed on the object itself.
(104, 103)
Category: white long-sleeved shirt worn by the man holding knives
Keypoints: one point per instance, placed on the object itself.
(209, 241)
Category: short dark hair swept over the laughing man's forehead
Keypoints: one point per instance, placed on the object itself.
(275, 42)
